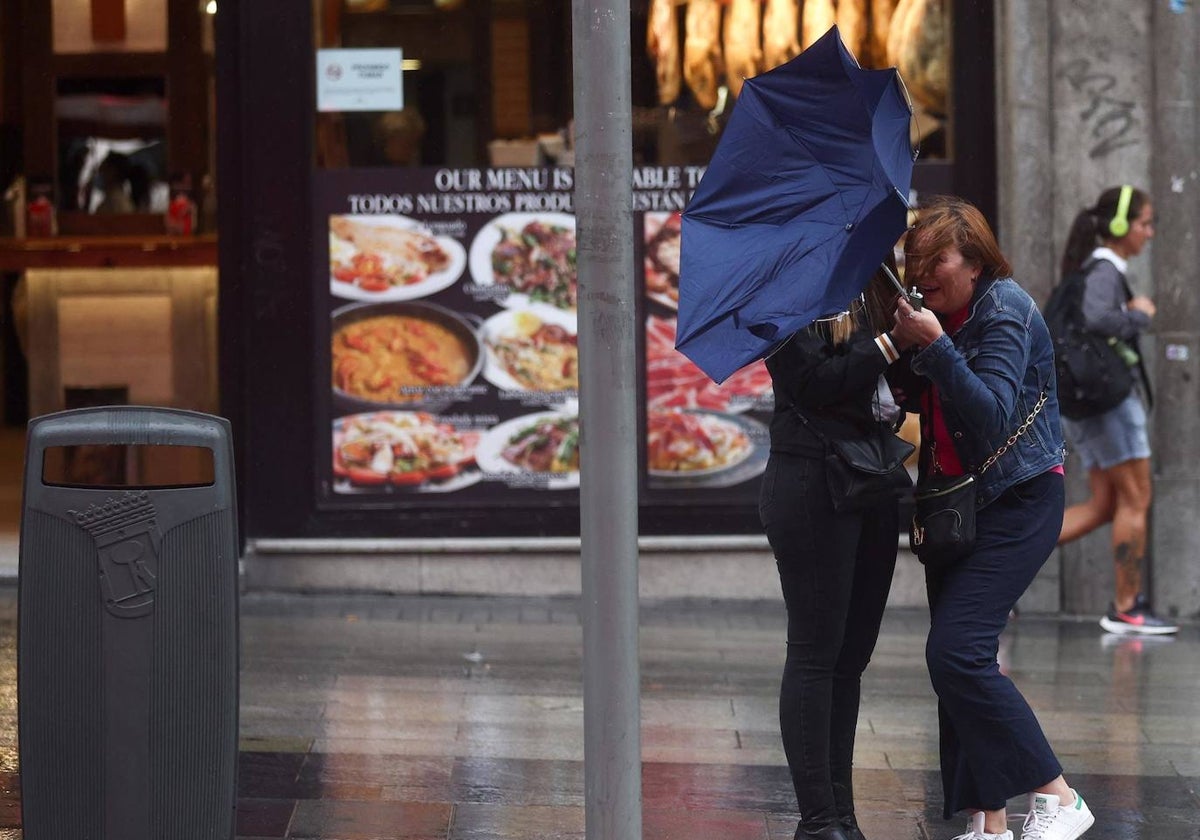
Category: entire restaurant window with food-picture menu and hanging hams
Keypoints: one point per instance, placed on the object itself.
(446, 245)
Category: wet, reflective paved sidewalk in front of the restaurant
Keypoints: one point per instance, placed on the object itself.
(461, 719)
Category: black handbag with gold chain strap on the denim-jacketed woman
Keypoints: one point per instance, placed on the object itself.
(944, 520)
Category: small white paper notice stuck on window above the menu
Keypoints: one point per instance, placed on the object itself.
(359, 80)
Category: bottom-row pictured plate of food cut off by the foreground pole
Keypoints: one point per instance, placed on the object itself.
(541, 449)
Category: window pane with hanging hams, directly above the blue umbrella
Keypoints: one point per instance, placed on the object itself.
(691, 58)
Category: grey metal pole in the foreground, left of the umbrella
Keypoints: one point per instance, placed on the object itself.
(604, 165)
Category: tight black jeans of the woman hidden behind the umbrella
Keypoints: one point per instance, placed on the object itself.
(836, 571)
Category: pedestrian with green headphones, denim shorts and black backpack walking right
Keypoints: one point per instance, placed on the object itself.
(1111, 440)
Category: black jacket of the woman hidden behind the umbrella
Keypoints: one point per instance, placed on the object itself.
(835, 387)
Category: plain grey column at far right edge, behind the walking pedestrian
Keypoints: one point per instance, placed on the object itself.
(1177, 362)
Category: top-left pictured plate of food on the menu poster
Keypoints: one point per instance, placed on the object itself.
(391, 259)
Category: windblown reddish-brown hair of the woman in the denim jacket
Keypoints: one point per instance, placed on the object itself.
(945, 223)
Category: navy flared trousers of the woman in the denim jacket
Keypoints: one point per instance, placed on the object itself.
(992, 745)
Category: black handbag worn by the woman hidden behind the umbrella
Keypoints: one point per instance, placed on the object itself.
(865, 472)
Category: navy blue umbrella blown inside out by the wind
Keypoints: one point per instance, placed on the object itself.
(806, 195)
